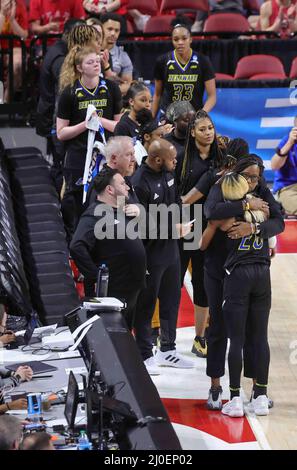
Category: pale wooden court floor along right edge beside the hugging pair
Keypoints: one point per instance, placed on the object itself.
(280, 427)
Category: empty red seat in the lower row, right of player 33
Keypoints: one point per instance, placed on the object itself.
(258, 64)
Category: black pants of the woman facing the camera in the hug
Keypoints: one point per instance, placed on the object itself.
(217, 336)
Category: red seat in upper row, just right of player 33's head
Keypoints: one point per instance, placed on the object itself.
(225, 22)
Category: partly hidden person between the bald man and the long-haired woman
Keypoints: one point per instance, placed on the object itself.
(180, 114)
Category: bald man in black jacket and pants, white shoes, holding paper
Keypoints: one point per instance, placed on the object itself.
(154, 185)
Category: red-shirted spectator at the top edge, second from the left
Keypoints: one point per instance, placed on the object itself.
(49, 16)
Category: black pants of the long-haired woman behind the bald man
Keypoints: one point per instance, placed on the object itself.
(197, 261)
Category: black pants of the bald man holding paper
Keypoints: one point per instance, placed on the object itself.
(163, 282)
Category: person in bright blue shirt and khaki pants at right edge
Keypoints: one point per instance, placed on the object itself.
(284, 162)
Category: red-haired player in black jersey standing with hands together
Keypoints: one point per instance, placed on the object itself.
(80, 86)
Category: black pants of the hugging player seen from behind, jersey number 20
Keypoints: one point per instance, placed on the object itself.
(247, 297)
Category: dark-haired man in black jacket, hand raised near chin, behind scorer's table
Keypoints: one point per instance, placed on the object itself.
(124, 256)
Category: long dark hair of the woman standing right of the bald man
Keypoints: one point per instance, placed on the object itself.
(215, 153)
